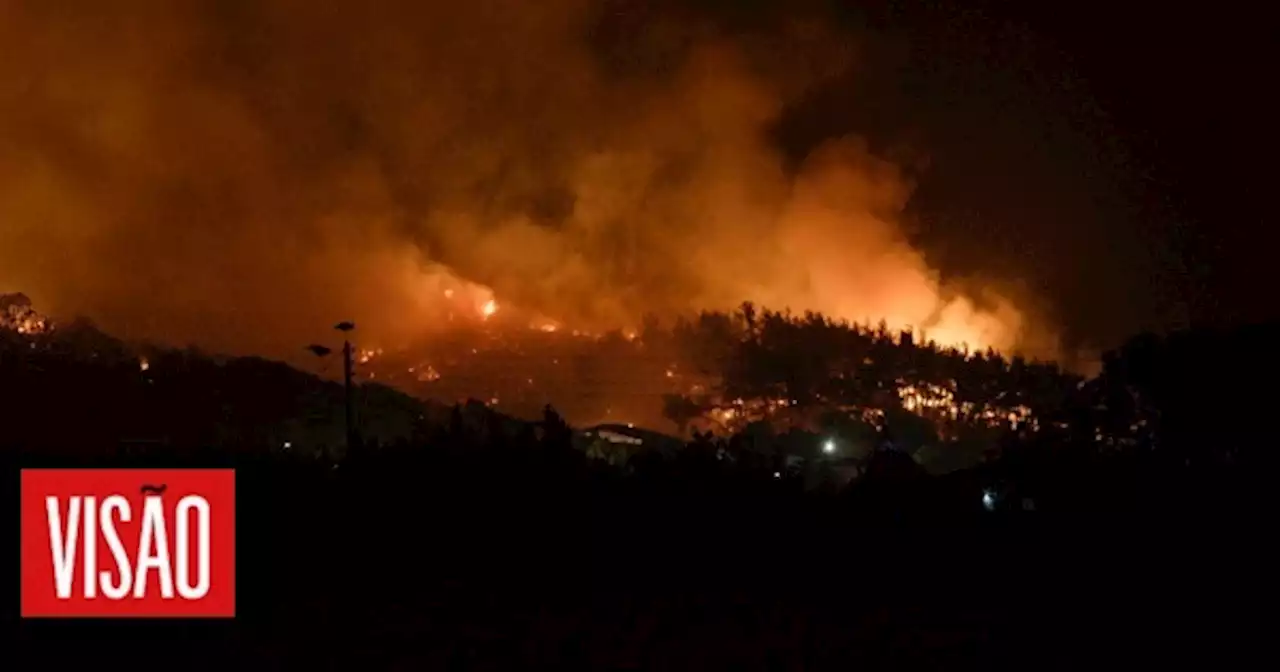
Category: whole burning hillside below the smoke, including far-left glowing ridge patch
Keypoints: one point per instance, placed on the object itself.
(744, 373)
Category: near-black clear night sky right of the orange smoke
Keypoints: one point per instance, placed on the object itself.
(1113, 157)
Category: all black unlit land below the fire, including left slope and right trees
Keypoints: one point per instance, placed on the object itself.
(476, 541)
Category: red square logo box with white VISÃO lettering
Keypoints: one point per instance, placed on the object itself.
(129, 543)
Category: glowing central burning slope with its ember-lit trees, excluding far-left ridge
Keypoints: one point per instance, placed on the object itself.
(719, 373)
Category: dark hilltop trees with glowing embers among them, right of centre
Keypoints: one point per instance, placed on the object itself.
(825, 374)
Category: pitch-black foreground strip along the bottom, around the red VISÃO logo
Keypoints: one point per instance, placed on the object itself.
(432, 563)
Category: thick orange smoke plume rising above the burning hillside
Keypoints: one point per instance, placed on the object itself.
(244, 173)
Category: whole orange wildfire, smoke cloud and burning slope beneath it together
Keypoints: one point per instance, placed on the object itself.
(497, 200)
